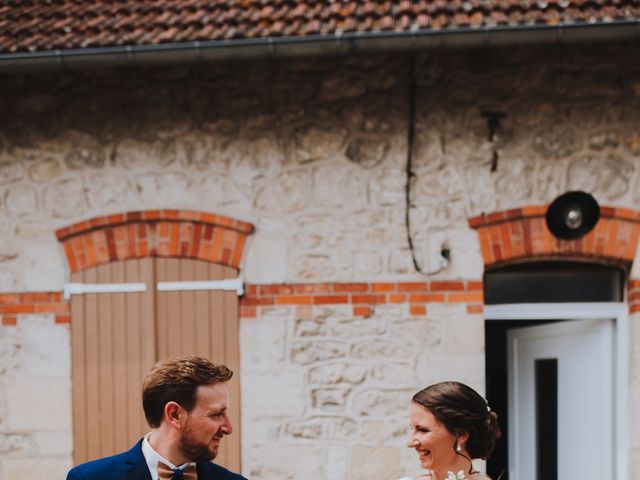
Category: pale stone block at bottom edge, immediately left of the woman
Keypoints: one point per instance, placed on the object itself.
(375, 462)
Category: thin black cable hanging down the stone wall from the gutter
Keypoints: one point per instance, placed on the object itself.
(444, 252)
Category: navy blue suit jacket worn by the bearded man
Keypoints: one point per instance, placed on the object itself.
(131, 465)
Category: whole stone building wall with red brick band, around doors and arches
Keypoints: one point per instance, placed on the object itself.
(337, 330)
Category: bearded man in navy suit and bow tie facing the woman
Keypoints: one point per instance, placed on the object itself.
(185, 402)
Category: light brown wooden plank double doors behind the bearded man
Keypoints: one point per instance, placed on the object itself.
(117, 337)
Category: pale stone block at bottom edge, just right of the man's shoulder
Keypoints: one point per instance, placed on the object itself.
(283, 461)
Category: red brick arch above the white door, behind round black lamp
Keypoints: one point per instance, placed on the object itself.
(522, 234)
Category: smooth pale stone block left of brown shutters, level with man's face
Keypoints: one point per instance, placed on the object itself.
(27, 411)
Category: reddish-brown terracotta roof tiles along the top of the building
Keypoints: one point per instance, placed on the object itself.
(31, 25)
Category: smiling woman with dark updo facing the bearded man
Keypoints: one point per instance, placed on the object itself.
(451, 424)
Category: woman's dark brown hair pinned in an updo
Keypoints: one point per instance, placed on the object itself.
(461, 409)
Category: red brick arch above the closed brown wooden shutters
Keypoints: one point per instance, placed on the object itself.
(155, 233)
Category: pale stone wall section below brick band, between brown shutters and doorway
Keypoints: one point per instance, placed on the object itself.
(344, 386)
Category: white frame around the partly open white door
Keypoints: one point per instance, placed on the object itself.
(619, 312)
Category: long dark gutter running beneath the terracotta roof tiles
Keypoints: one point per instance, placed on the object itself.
(336, 44)
